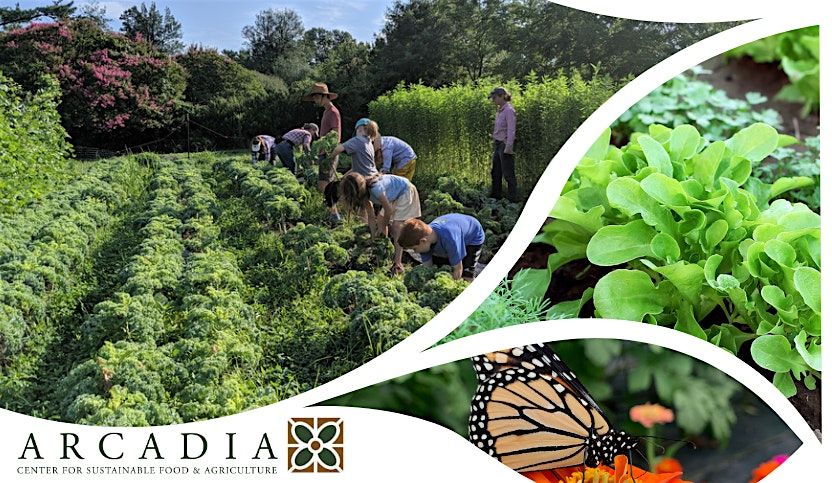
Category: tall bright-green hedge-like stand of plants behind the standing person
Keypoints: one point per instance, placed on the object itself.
(450, 127)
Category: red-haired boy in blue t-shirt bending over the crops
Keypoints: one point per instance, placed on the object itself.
(453, 239)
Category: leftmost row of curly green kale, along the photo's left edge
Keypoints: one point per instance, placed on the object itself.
(44, 247)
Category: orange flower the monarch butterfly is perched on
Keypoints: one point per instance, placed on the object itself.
(622, 472)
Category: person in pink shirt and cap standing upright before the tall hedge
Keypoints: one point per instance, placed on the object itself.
(502, 160)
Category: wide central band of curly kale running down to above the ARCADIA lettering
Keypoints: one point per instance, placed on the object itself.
(177, 342)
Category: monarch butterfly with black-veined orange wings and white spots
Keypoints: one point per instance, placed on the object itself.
(532, 413)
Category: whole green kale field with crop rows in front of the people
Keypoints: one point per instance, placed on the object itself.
(160, 289)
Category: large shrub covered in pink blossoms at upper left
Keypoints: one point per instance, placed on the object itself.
(111, 85)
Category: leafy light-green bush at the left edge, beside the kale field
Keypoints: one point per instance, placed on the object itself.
(33, 145)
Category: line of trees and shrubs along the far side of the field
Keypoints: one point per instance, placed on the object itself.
(151, 79)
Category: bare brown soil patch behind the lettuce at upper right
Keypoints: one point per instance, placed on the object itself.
(738, 76)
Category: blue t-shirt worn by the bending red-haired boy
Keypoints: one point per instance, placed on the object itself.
(455, 231)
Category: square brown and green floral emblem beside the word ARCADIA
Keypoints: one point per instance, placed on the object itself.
(316, 445)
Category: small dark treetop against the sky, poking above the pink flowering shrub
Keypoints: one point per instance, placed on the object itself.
(162, 31)
